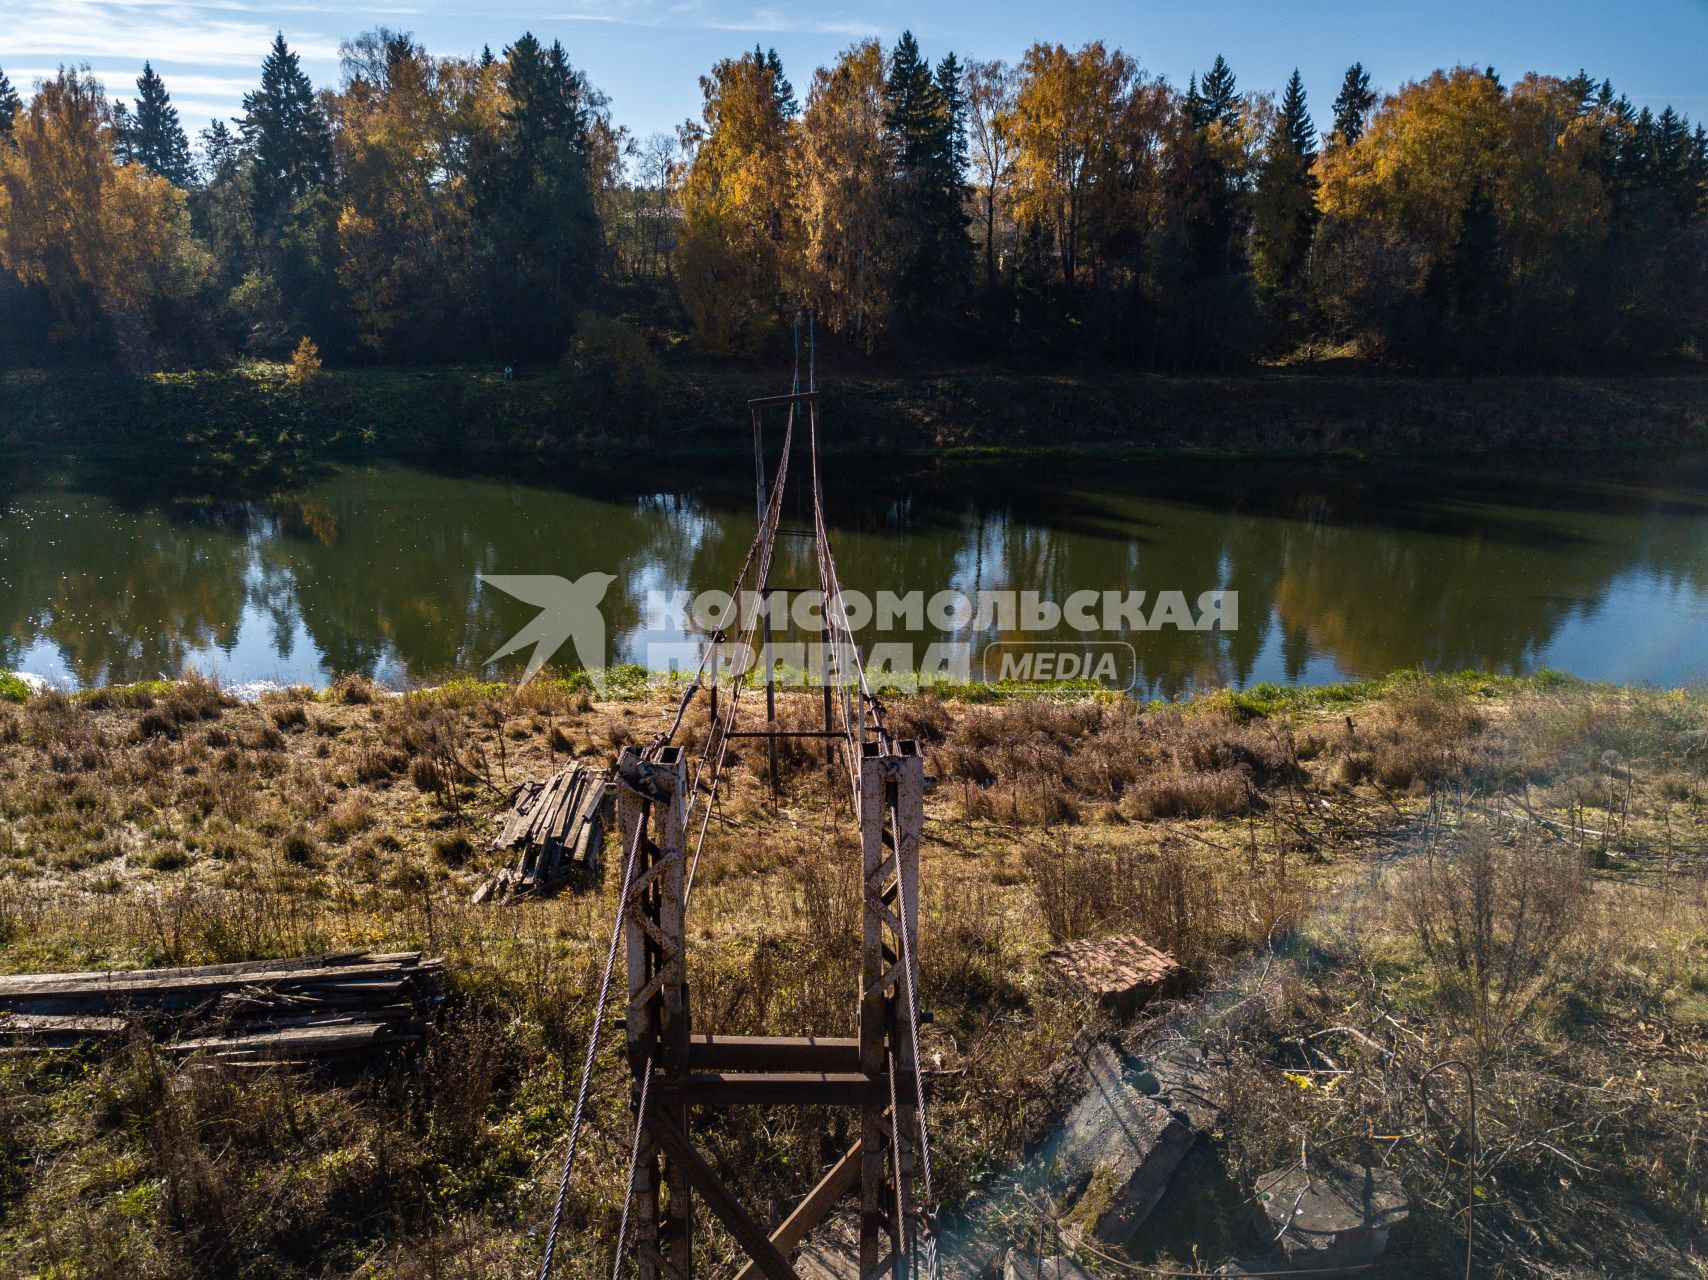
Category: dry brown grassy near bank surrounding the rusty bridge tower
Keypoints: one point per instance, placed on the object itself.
(1378, 854)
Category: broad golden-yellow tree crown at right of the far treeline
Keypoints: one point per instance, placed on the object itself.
(1465, 221)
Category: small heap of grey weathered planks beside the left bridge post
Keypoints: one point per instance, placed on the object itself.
(553, 828)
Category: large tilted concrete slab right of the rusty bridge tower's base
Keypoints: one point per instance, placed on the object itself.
(1113, 1158)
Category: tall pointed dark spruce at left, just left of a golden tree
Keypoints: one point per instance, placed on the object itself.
(288, 134)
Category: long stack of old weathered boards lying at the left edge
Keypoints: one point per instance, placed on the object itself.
(243, 1014)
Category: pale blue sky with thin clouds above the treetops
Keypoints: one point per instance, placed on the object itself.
(648, 56)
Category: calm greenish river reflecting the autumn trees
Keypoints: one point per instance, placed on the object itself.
(114, 572)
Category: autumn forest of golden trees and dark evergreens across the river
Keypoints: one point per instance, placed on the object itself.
(1068, 208)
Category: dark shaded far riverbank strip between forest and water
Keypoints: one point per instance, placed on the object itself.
(254, 413)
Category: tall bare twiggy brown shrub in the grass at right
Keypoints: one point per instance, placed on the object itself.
(1499, 920)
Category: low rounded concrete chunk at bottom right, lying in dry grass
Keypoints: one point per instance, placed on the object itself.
(1331, 1216)
